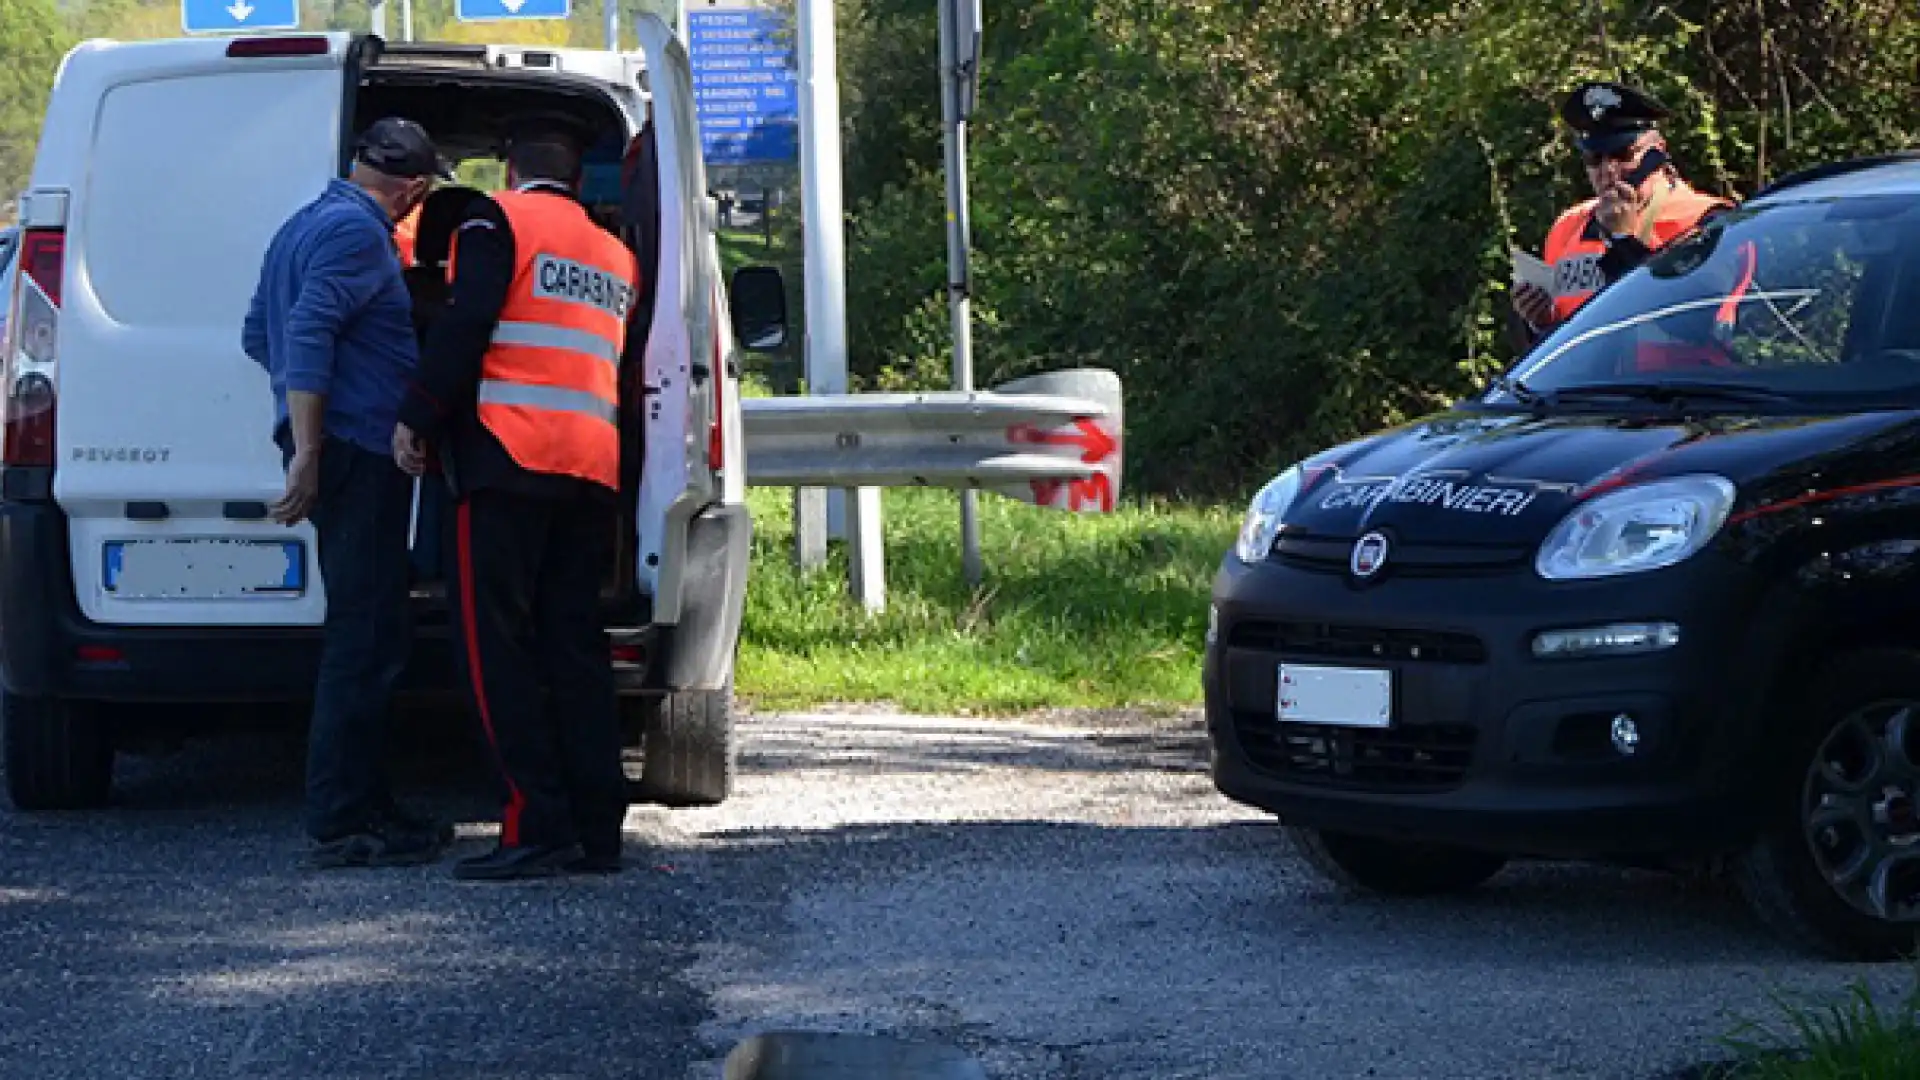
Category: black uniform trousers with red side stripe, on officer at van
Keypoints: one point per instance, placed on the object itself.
(529, 572)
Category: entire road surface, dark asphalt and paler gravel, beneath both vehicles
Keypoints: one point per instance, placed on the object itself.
(1059, 900)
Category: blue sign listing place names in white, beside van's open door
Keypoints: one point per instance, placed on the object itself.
(744, 86)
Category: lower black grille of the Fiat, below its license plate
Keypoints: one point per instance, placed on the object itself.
(1420, 758)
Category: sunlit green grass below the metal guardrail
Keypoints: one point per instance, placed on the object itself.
(1072, 612)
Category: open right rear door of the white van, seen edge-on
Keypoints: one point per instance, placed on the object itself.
(684, 458)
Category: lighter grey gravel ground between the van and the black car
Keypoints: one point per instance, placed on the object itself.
(1076, 900)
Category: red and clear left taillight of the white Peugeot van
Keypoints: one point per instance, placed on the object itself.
(34, 349)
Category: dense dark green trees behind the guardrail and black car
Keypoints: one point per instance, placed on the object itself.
(1289, 224)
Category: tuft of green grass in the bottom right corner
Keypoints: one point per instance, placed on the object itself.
(1852, 1039)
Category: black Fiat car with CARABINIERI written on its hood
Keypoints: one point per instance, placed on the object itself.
(1652, 597)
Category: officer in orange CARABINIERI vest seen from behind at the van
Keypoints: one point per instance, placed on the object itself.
(517, 393)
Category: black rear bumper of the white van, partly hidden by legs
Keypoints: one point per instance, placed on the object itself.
(51, 649)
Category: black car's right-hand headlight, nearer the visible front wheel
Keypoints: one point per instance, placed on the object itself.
(1637, 529)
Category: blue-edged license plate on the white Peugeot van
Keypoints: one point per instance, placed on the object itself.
(204, 570)
